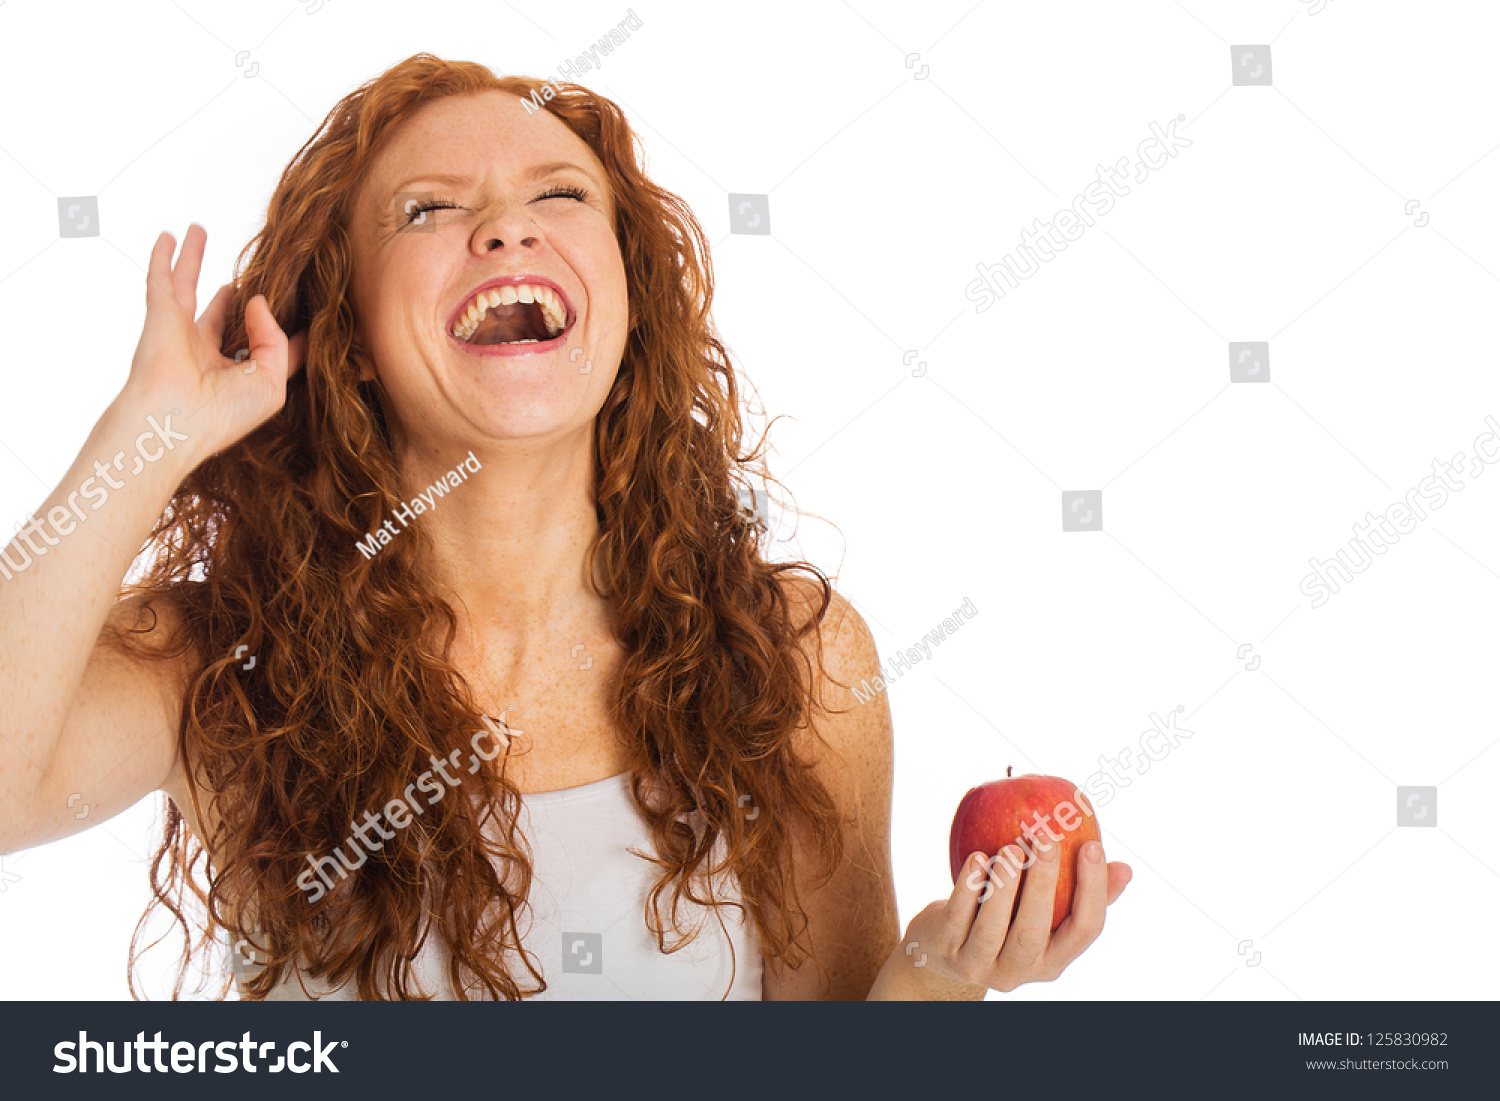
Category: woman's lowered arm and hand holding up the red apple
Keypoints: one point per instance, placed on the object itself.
(961, 949)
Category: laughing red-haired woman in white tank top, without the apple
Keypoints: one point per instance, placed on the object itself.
(493, 475)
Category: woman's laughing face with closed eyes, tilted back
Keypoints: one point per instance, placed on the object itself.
(496, 173)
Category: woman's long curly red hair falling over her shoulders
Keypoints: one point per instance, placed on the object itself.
(355, 692)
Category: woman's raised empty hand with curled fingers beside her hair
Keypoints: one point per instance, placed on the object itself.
(178, 362)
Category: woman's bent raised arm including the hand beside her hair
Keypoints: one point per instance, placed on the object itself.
(86, 730)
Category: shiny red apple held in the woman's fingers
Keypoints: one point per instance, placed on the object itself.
(1031, 812)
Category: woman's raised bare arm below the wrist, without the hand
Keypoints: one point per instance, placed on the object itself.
(88, 731)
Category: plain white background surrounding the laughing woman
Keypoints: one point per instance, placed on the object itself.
(1286, 221)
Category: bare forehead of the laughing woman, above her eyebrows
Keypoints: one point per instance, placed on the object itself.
(479, 136)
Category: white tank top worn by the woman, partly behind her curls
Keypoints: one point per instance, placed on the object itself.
(586, 916)
